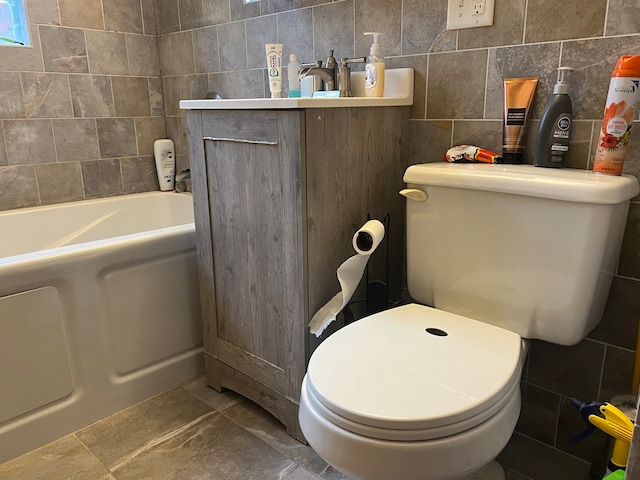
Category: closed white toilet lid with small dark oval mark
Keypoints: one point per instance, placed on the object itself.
(415, 368)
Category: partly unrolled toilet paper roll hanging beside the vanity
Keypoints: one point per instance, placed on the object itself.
(349, 274)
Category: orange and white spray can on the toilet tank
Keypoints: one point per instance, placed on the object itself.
(619, 112)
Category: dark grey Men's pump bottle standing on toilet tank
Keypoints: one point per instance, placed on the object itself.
(552, 143)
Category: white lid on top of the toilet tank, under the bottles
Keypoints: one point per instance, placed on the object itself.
(567, 184)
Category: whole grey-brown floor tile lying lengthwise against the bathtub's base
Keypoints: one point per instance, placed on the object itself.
(125, 434)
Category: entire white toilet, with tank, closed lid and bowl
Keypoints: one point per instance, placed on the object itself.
(496, 255)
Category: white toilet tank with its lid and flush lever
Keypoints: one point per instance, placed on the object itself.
(525, 248)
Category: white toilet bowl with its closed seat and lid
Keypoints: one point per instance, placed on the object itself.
(412, 393)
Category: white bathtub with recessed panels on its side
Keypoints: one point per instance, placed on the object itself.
(99, 310)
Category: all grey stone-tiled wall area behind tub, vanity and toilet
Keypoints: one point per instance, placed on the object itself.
(96, 80)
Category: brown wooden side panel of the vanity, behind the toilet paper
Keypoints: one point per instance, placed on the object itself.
(355, 168)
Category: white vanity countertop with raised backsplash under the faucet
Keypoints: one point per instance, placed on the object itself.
(398, 92)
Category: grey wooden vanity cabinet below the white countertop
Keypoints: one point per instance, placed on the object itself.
(278, 195)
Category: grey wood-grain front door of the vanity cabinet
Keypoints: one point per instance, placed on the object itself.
(255, 200)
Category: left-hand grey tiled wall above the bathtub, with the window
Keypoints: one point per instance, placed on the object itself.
(80, 108)
